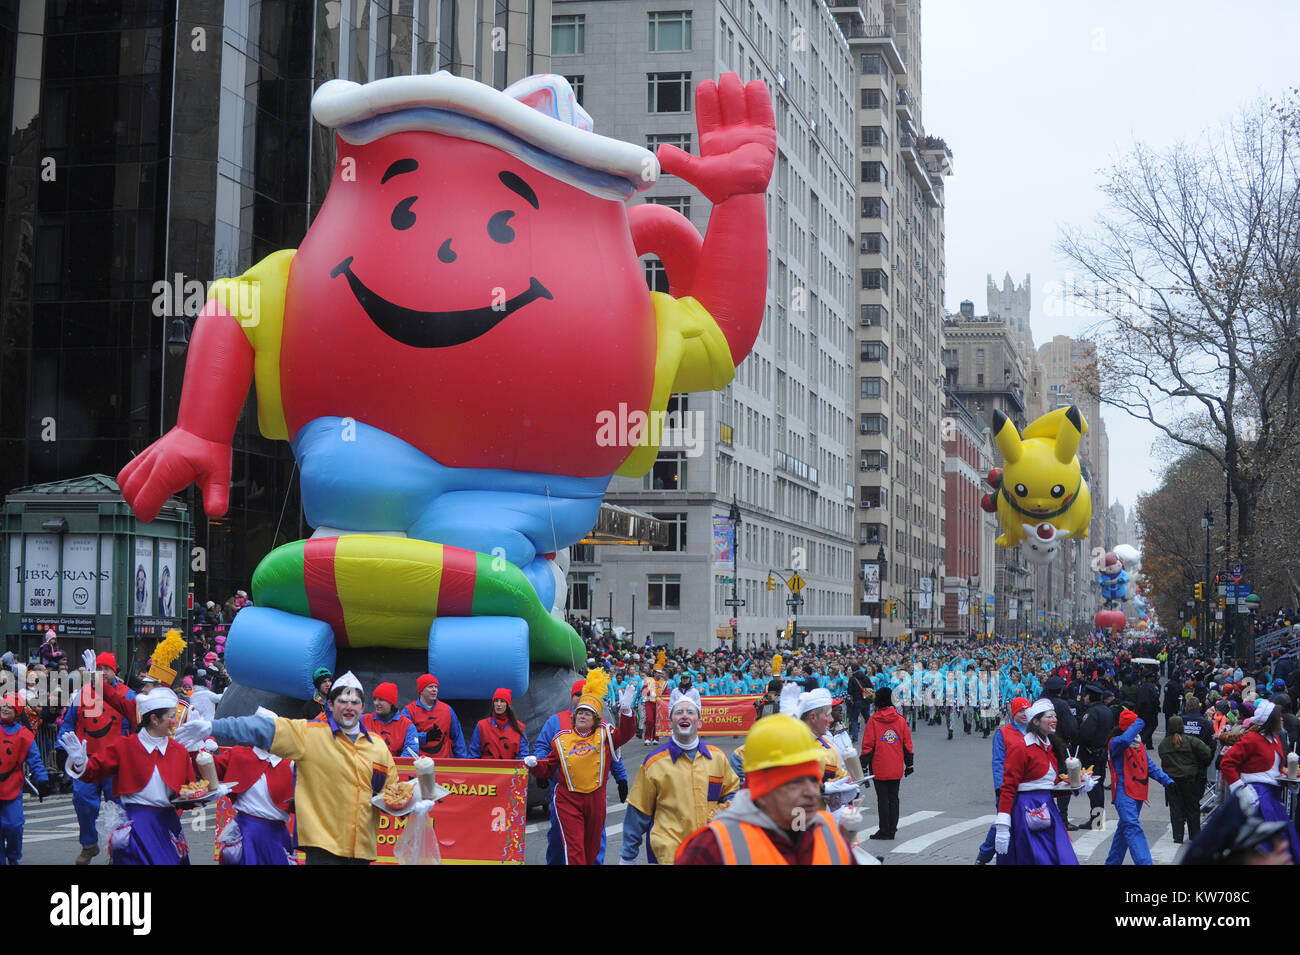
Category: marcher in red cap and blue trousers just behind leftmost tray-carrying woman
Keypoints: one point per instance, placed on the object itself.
(97, 718)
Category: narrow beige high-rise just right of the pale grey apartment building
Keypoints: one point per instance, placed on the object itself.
(900, 294)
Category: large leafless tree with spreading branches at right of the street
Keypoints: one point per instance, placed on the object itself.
(1197, 268)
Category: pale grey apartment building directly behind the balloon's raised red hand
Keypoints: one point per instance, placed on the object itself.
(781, 439)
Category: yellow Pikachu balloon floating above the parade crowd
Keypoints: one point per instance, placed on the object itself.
(1039, 494)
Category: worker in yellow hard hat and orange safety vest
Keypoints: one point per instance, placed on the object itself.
(779, 819)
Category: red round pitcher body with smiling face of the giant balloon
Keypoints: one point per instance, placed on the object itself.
(470, 305)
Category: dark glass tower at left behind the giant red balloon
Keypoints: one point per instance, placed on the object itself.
(150, 141)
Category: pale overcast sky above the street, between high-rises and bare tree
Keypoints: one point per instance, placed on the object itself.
(1037, 97)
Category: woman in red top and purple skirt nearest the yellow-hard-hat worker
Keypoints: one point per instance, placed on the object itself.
(1030, 830)
